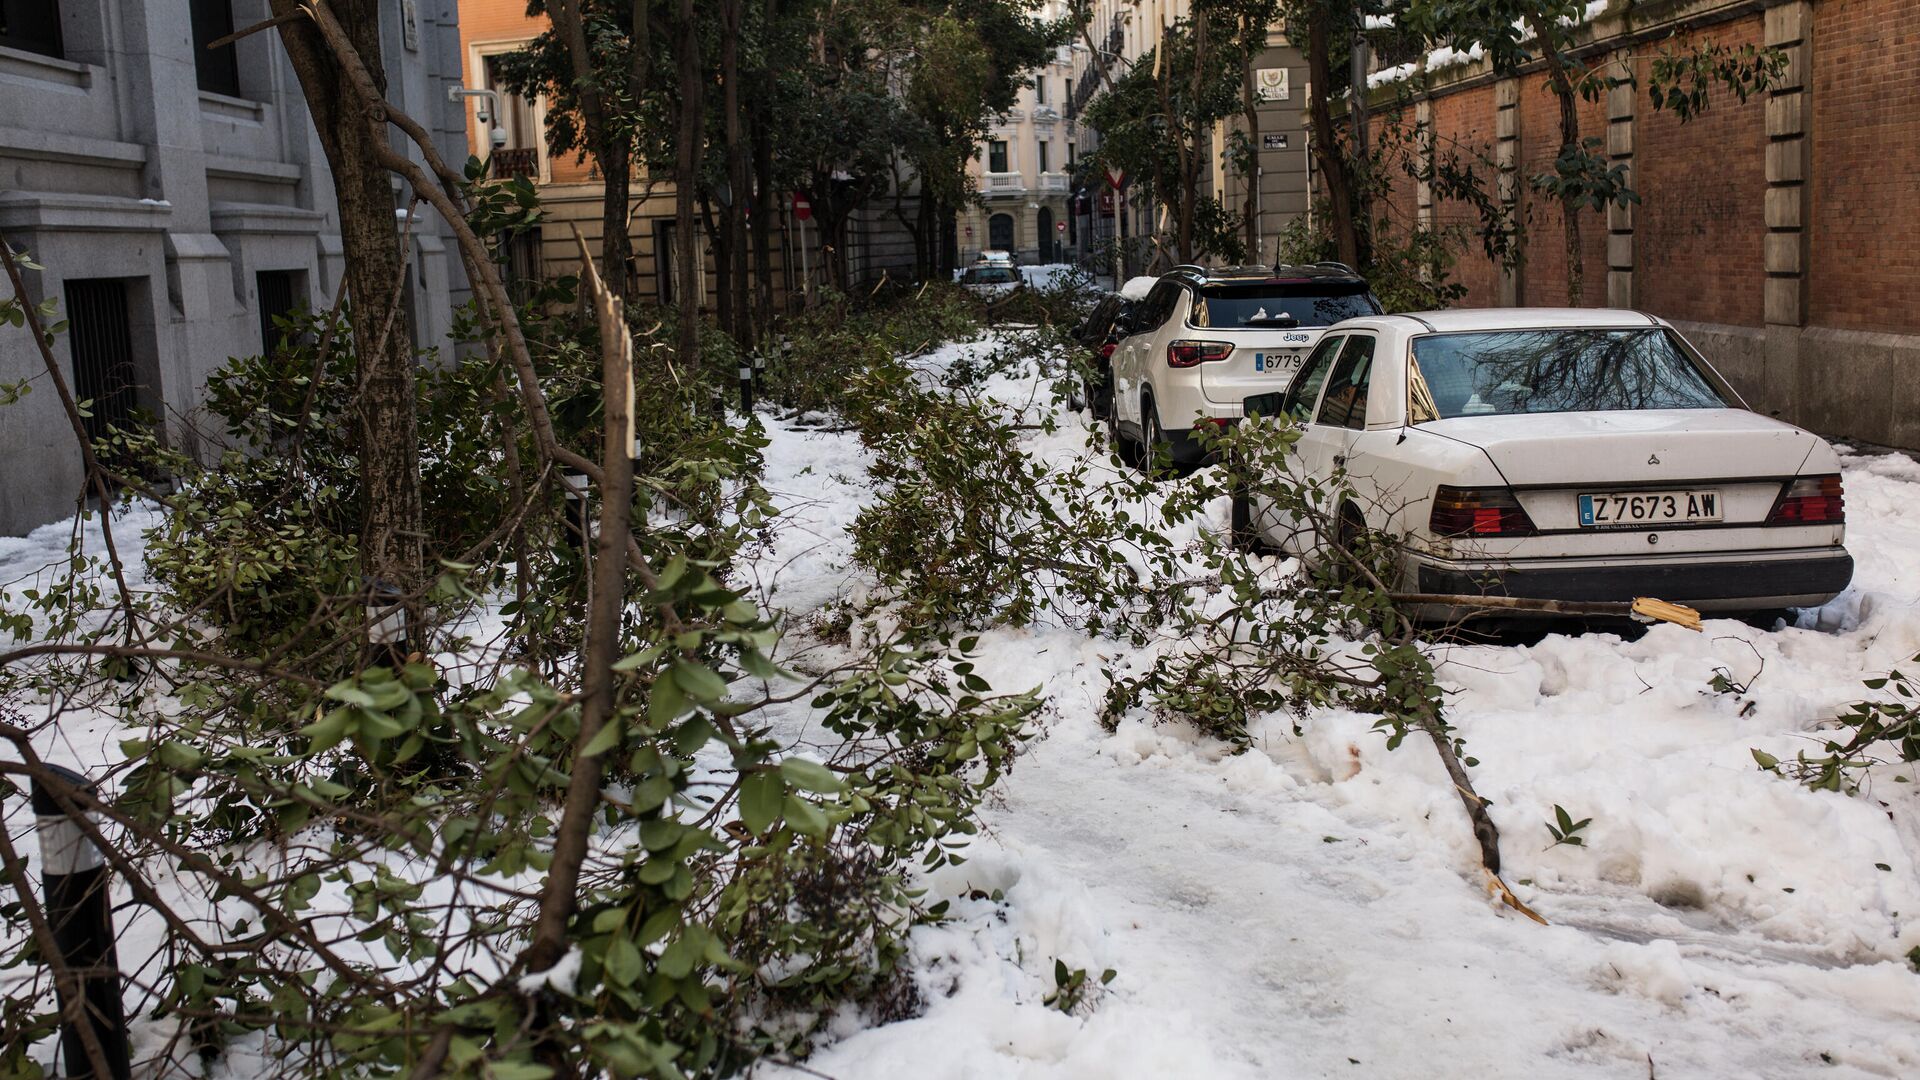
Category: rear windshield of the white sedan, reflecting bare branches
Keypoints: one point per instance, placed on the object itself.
(1554, 372)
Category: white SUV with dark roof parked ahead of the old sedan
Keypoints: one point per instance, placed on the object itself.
(1205, 341)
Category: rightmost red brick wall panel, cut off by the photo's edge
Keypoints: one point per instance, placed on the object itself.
(1865, 193)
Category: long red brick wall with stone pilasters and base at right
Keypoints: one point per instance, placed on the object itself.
(1779, 233)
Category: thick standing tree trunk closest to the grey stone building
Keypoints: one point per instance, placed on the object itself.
(393, 535)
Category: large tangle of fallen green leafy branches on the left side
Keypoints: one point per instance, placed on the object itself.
(443, 860)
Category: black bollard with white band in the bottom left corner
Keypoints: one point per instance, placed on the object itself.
(82, 914)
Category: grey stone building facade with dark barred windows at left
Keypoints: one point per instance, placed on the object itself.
(180, 199)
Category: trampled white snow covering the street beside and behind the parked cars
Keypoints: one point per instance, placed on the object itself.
(1314, 908)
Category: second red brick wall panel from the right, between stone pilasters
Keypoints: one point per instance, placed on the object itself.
(1702, 218)
